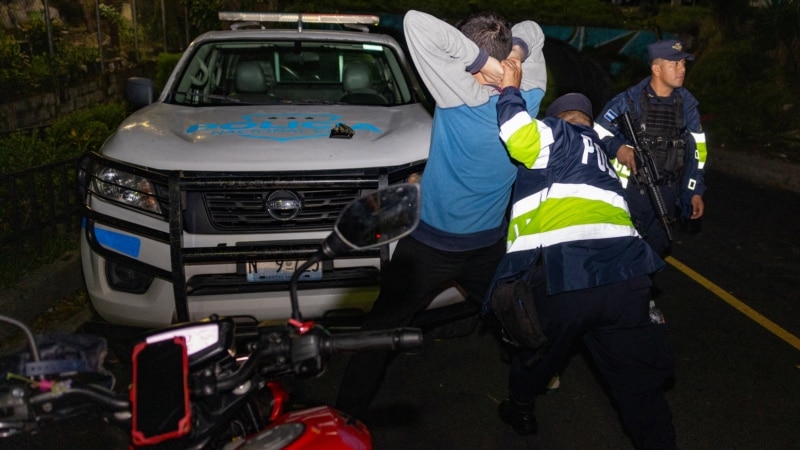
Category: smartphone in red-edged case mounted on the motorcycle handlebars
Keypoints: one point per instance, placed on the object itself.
(160, 394)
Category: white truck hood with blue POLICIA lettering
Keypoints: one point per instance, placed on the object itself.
(270, 137)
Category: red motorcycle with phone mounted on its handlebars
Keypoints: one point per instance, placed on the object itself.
(216, 383)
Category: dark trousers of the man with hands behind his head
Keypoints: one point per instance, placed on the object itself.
(416, 274)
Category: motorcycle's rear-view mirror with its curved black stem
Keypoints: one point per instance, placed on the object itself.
(373, 220)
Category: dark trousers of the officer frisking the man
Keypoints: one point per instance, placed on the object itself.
(633, 355)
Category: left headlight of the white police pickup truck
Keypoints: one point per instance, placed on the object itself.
(125, 188)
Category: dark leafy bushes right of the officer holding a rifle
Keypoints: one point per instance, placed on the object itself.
(747, 84)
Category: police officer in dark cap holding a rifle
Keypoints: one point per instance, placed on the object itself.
(670, 127)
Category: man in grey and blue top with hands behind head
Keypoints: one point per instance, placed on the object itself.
(467, 181)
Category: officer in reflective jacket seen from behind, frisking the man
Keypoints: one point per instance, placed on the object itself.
(572, 241)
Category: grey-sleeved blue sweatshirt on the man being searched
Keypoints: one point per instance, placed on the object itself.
(468, 177)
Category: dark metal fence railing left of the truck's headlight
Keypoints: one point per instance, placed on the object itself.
(38, 204)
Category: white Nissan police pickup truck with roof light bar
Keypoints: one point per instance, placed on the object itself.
(205, 198)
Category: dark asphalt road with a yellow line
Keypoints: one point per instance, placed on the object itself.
(738, 372)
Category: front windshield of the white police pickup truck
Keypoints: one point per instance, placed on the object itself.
(275, 72)
